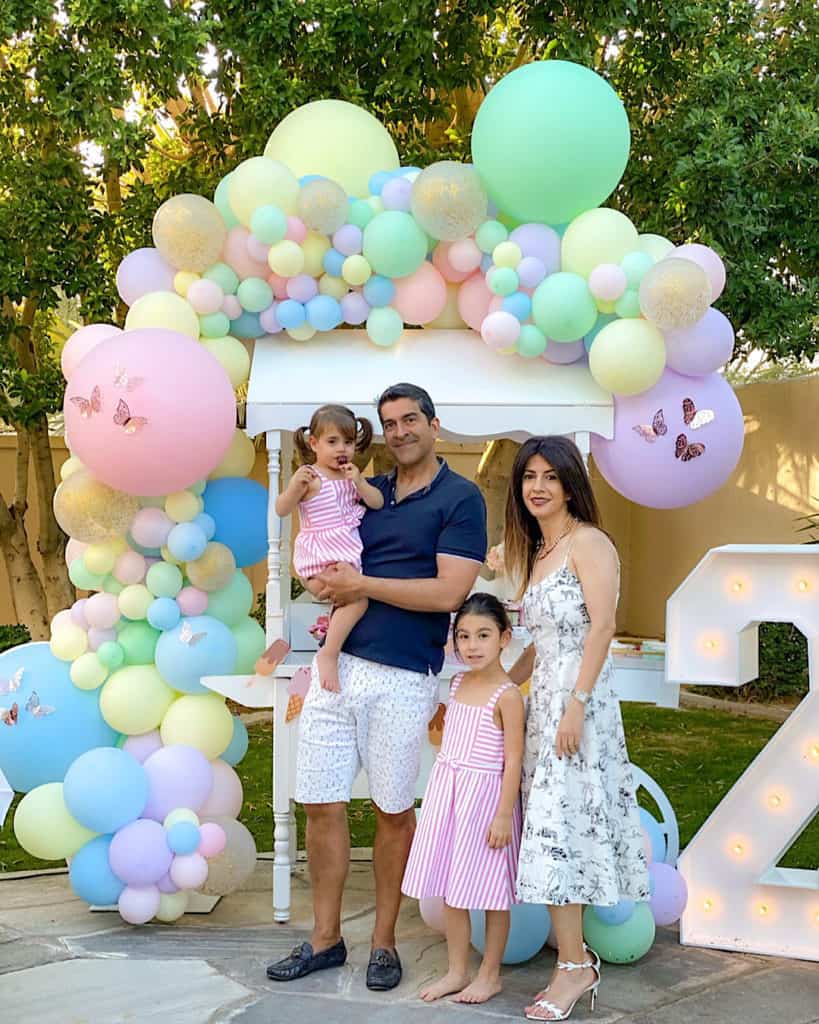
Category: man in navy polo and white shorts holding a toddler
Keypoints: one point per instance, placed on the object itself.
(422, 556)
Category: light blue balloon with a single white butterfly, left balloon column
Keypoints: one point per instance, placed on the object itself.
(200, 646)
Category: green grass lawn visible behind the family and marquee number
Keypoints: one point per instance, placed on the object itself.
(696, 756)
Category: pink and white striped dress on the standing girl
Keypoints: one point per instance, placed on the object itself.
(451, 857)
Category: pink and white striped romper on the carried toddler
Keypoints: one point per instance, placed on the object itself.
(329, 529)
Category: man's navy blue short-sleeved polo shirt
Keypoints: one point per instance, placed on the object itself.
(402, 542)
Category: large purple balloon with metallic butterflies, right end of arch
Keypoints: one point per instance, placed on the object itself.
(660, 460)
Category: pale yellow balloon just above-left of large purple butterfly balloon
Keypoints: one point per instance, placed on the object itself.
(628, 357)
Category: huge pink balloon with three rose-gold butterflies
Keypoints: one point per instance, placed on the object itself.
(163, 417)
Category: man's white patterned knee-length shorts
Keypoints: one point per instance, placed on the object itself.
(379, 721)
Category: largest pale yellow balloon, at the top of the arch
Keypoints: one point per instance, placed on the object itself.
(336, 140)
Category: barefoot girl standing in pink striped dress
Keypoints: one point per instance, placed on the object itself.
(466, 846)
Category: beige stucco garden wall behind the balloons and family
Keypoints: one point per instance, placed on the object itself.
(778, 481)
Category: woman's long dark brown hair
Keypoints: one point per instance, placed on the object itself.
(523, 535)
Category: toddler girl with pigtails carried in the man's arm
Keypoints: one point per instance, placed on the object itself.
(329, 489)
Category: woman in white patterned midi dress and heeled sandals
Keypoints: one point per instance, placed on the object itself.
(582, 838)
